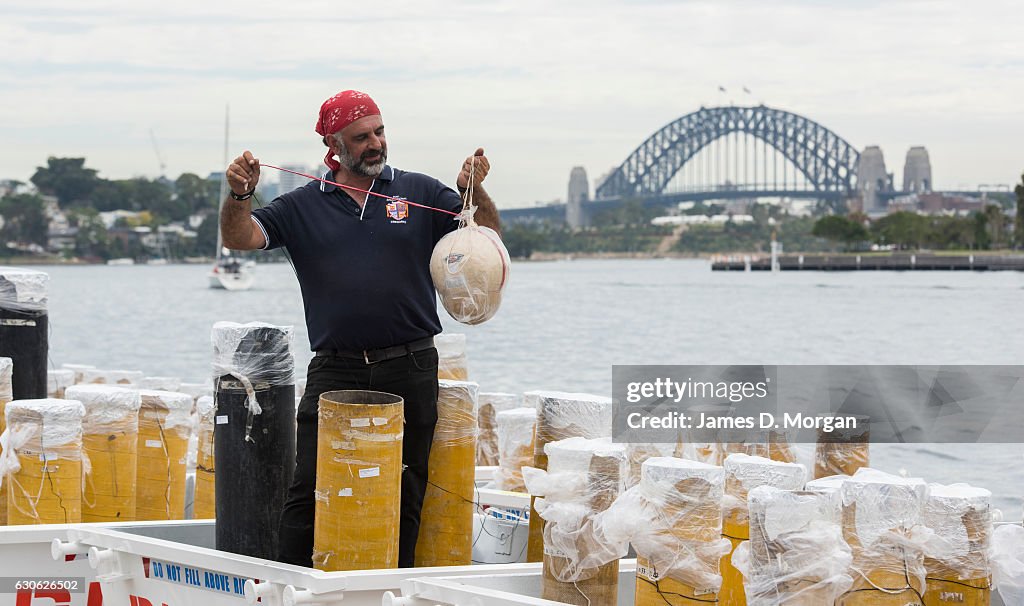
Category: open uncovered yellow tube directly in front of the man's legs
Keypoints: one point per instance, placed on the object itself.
(359, 481)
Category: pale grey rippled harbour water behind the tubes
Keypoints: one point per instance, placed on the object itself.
(564, 325)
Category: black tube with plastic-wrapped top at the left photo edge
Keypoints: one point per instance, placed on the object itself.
(25, 330)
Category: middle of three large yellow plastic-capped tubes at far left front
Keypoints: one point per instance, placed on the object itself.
(110, 451)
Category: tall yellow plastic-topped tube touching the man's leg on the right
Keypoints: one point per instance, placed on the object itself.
(447, 518)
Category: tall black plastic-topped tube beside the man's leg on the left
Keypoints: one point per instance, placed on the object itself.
(254, 377)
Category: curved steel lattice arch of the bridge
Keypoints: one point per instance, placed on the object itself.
(828, 161)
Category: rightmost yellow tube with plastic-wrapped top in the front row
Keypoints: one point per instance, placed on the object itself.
(957, 556)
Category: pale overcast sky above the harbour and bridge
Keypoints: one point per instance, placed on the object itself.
(542, 86)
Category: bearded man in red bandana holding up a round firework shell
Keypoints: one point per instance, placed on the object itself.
(363, 266)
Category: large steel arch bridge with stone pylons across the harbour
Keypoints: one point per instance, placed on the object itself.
(739, 153)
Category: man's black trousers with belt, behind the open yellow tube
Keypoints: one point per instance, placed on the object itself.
(414, 378)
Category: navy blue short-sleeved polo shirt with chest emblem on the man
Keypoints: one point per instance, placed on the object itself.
(365, 274)
